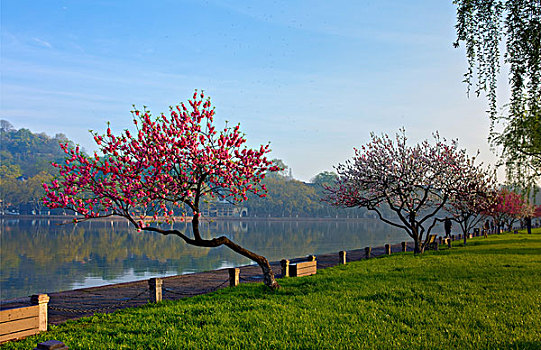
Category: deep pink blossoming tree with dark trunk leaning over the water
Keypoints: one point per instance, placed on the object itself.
(168, 164)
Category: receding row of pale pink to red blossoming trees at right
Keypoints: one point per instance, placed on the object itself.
(421, 184)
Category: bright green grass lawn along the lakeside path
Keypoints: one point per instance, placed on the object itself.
(483, 296)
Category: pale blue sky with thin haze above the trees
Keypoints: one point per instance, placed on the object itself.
(312, 77)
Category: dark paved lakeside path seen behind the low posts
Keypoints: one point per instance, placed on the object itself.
(73, 304)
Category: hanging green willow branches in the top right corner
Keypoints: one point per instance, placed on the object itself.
(481, 26)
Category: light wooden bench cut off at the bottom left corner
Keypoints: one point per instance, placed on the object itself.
(25, 321)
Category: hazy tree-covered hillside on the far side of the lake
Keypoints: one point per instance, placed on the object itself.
(25, 163)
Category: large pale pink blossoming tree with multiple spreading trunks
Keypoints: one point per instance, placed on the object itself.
(415, 182)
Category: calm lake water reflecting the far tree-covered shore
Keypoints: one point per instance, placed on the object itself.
(41, 256)
